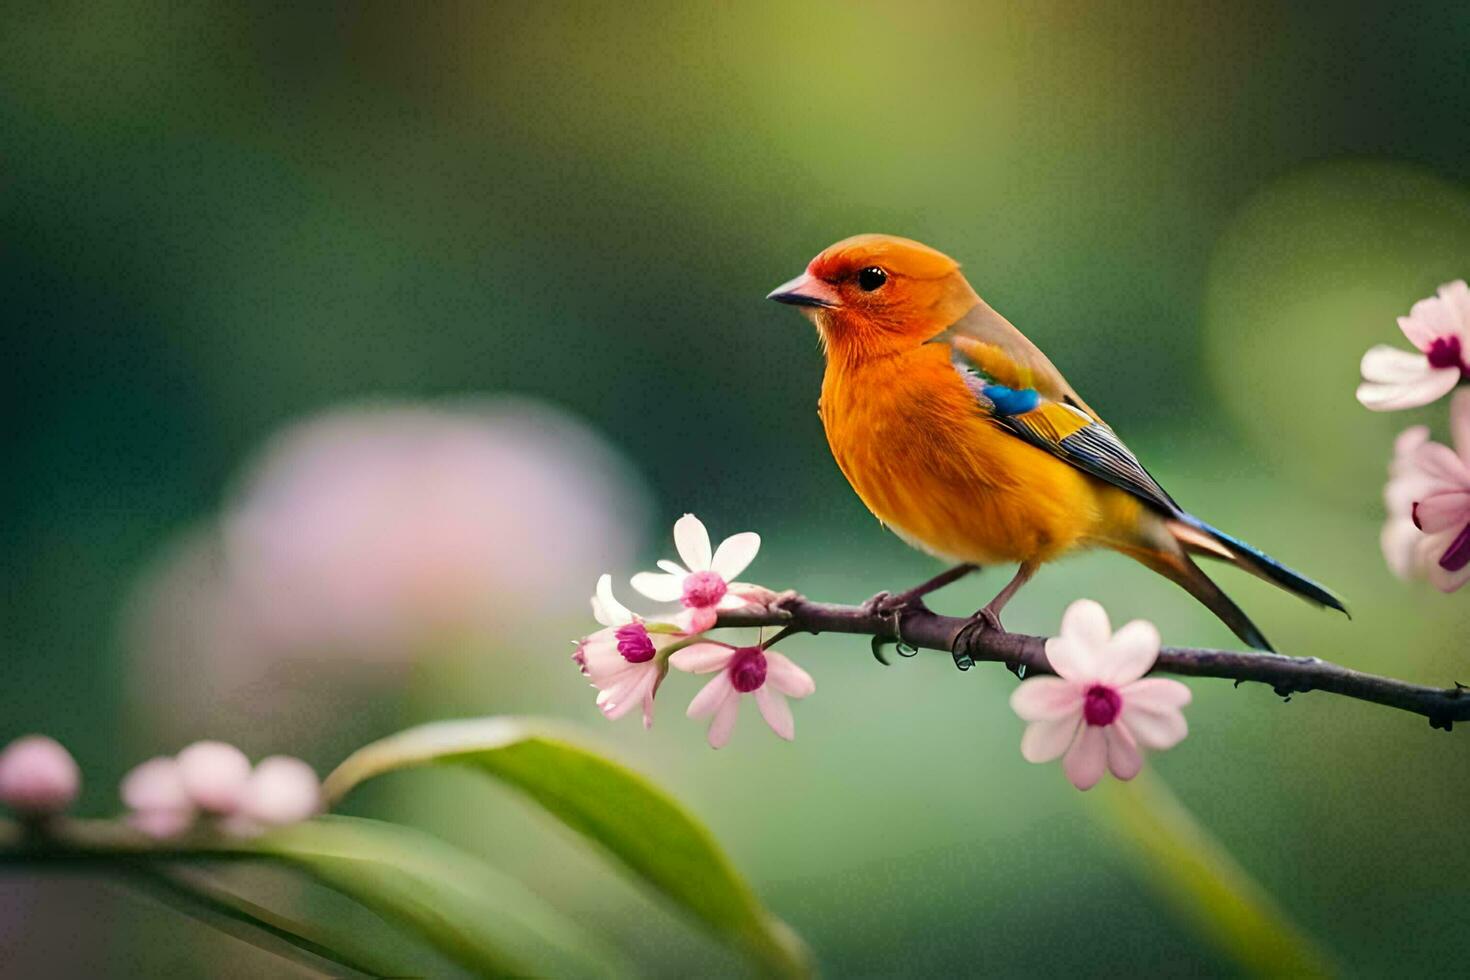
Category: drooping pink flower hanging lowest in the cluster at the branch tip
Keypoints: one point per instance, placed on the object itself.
(764, 674)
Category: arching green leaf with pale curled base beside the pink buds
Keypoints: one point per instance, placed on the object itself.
(636, 822)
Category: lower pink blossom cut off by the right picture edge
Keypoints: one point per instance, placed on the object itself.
(1428, 496)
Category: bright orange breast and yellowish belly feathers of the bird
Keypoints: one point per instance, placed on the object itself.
(917, 447)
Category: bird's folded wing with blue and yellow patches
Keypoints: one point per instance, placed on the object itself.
(1030, 399)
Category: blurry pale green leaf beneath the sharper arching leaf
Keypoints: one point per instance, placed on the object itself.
(474, 915)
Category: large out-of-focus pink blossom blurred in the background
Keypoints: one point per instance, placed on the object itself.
(365, 540)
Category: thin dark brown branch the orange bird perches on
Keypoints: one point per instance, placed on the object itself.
(971, 643)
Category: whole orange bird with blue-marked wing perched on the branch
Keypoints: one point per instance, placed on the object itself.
(968, 443)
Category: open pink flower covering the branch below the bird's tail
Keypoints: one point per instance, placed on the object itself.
(1100, 709)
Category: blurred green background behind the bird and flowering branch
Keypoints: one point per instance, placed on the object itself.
(221, 220)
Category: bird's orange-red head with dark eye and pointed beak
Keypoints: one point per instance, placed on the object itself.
(872, 295)
